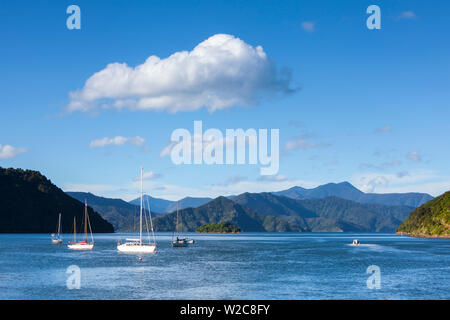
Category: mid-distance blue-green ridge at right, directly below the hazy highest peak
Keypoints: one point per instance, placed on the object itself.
(330, 214)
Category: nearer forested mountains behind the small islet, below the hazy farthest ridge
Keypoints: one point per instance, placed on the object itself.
(278, 214)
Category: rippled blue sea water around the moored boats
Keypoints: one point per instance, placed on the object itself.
(229, 266)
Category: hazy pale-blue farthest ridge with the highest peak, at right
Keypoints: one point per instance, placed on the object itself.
(346, 190)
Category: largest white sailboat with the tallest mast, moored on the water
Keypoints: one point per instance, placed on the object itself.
(137, 245)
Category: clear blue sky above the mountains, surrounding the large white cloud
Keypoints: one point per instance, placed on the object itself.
(373, 107)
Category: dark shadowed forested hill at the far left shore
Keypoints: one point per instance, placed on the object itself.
(30, 203)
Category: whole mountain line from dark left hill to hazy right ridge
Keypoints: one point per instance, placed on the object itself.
(29, 202)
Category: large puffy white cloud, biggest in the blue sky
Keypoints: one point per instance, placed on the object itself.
(220, 72)
